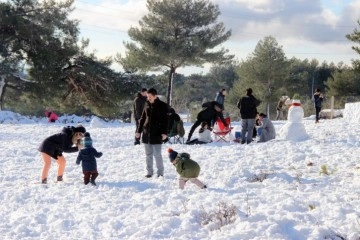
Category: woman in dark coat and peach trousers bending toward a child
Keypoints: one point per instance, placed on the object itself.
(54, 146)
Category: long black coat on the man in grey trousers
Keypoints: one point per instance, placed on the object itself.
(153, 122)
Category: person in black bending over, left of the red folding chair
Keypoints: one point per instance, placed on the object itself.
(212, 110)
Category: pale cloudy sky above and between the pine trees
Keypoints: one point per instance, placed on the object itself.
(305, 29)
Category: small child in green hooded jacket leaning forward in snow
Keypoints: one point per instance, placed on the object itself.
(187, 168)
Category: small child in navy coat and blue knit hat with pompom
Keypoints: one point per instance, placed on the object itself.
(87, 157)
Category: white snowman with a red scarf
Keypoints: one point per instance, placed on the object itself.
(294, 128)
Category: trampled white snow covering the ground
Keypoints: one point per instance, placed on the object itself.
(279, 188)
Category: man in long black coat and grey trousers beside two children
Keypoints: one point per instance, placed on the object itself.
(153, 126)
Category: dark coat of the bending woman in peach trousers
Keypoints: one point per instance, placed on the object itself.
(58, 143)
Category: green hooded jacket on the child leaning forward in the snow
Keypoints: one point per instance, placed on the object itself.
(186, 167)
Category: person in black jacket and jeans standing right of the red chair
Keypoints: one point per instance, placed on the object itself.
(248, 110)
